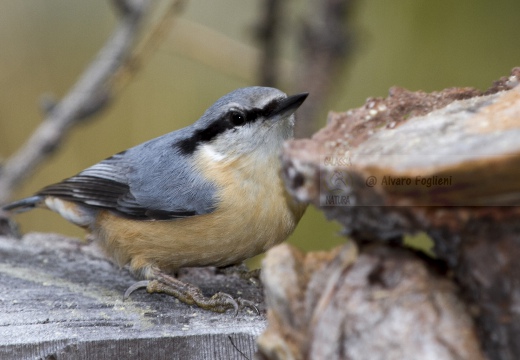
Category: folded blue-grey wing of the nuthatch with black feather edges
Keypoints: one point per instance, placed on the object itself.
(148, 182)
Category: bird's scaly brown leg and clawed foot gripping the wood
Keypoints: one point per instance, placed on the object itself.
(190, 294)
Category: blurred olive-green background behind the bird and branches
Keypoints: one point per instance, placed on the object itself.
(210, 50)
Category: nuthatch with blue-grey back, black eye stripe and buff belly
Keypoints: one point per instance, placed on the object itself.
(209, 194)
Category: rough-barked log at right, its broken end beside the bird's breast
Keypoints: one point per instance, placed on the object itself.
(444, 163)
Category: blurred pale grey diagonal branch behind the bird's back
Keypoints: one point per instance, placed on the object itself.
(91, 93)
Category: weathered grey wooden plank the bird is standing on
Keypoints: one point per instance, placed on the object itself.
(61, 299)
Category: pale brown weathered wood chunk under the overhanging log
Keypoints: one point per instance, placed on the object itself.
(382, 304)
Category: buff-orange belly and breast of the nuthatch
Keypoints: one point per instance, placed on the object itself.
(247, 223)
